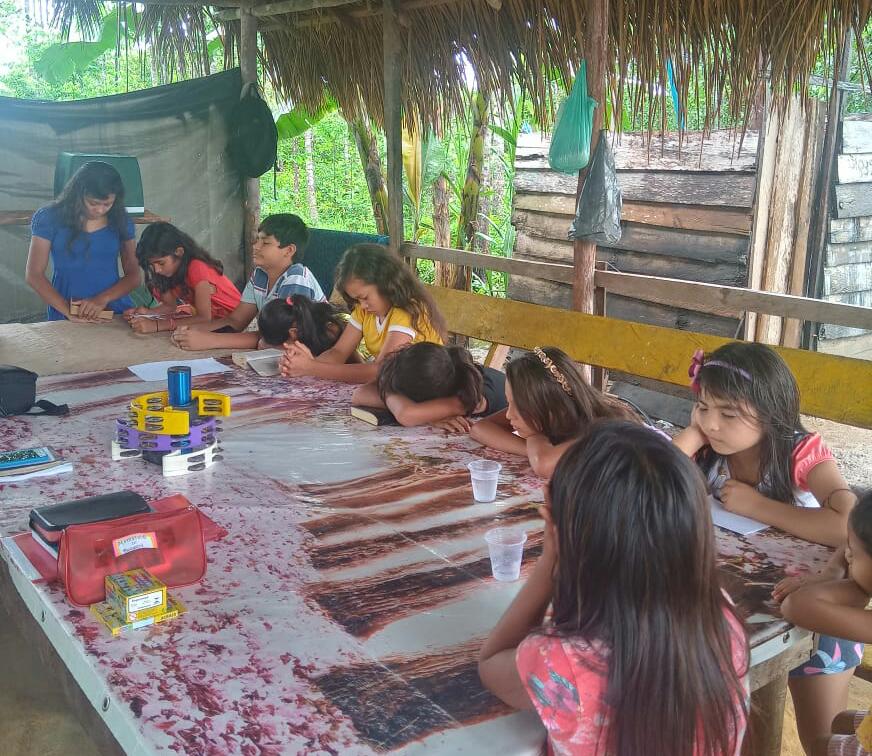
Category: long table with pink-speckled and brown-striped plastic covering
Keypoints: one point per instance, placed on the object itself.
(343, 611)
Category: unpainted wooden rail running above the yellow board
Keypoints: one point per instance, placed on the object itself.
(729, 301)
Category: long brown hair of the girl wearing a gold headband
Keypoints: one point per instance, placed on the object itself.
(546, 406)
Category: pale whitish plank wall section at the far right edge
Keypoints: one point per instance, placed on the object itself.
(848, 257)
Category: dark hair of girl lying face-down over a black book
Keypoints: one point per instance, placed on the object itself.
(425, 371)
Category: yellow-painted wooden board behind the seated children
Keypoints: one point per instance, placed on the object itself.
(836, 388)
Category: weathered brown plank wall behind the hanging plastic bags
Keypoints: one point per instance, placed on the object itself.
(686, 213)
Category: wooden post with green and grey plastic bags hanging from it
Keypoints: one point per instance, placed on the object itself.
(595, 51)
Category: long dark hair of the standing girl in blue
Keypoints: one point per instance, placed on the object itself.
(94, 179)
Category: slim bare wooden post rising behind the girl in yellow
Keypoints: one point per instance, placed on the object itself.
(393, 80)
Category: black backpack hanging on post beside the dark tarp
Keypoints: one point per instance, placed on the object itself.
(253, 135)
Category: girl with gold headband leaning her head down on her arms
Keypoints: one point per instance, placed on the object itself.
(549, 405)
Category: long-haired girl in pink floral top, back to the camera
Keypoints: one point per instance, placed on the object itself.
(644, 652)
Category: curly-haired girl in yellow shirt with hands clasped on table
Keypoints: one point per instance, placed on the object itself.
(390, 308)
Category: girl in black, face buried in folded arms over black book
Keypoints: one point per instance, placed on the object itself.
(428, 383)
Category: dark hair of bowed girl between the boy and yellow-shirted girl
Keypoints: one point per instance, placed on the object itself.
(318, 325)
